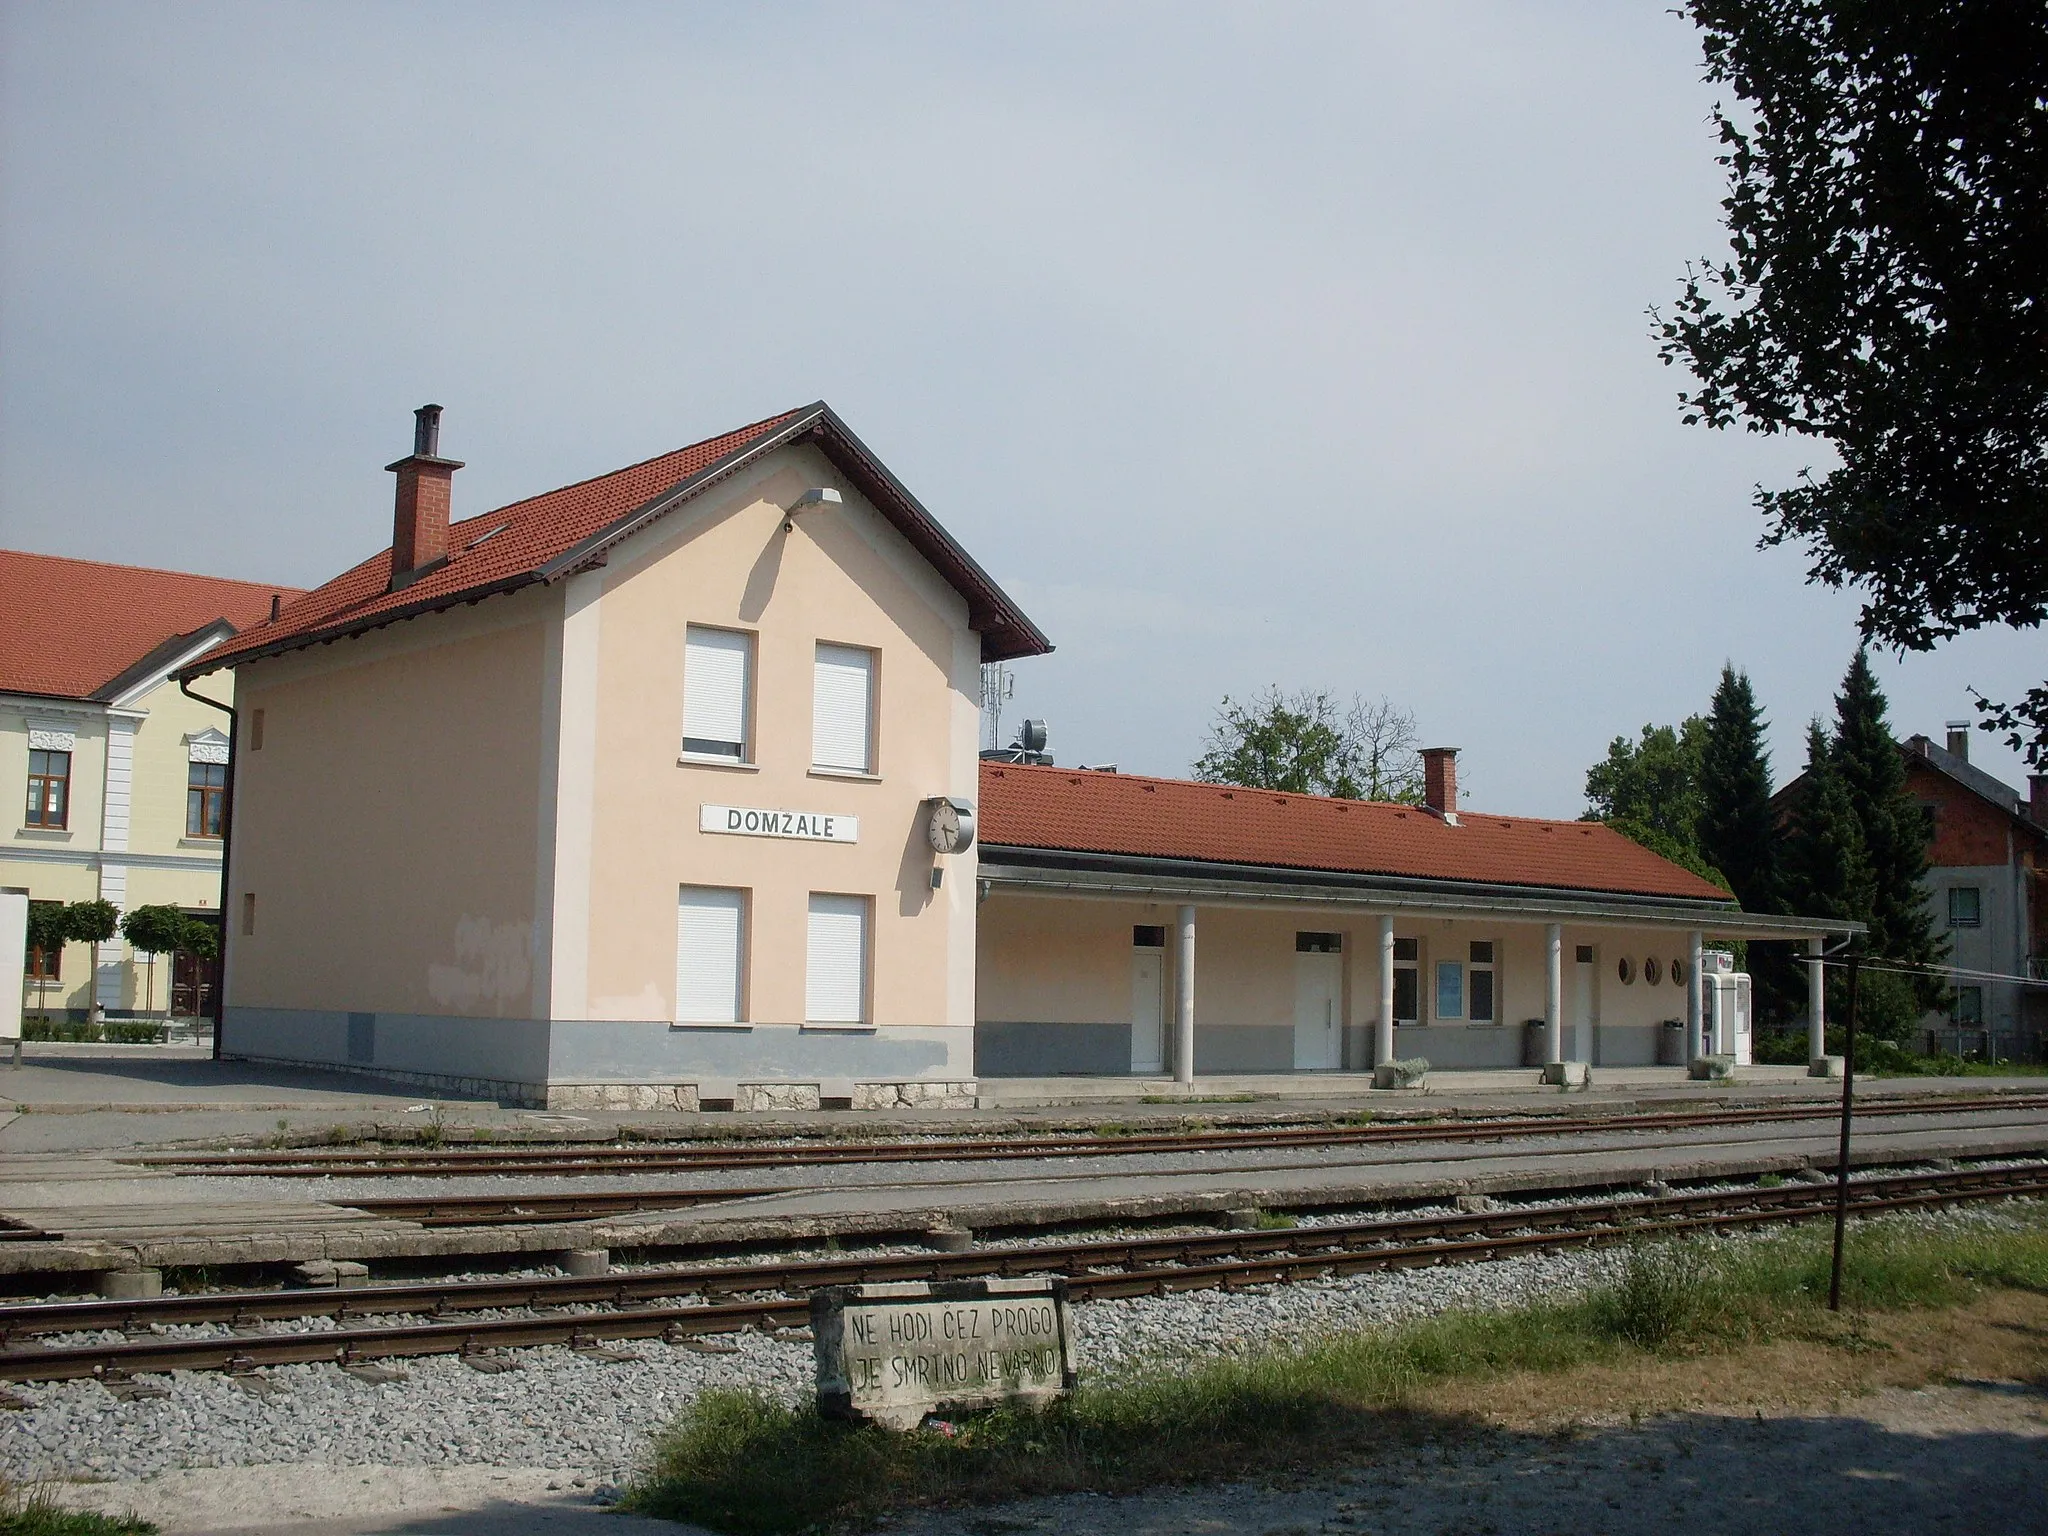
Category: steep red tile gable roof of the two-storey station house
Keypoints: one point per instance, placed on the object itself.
(552, 536)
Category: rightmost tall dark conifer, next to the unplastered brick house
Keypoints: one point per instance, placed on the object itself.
(1893, 822)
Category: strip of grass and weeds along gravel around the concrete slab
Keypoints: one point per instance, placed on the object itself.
(749, 1465)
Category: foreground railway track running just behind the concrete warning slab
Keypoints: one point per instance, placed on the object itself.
(775, 1295)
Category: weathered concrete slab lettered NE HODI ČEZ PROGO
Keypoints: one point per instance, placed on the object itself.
(896, 1353)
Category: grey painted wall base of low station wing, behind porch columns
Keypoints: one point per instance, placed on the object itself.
(1105, 1050)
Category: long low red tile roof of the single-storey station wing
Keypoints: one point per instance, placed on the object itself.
(1172, 818)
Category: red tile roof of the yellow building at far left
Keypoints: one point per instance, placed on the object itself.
(69, 628)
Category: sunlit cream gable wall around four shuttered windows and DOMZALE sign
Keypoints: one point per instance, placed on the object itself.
(841, 577)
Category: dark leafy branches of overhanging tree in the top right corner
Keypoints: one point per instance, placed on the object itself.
(1887, 294)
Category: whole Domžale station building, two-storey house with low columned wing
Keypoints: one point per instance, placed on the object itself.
(663, 792)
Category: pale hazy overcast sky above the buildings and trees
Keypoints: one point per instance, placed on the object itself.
(1242, 345)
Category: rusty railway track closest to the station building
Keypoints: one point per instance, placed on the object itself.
(611, 1160)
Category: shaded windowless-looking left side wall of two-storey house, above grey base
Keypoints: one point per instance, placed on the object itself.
(388, 824)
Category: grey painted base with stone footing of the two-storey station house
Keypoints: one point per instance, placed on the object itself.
(617, 1064)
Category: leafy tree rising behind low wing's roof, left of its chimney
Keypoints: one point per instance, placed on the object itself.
(1314, 744)
